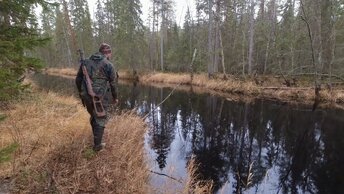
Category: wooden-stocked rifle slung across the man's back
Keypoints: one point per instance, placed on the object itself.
(96, 99)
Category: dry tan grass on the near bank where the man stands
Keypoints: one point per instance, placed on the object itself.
(46, 147)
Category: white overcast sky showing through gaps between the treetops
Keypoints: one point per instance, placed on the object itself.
(180, 8)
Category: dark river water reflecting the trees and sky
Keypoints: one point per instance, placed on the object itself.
(256, 147)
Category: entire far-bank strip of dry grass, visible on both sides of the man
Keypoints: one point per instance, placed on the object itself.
(236, 87)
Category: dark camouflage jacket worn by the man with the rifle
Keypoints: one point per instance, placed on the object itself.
(102, 74)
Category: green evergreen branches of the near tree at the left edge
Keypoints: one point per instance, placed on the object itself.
(18, 35)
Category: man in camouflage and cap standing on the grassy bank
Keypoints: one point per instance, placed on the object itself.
(104, 77)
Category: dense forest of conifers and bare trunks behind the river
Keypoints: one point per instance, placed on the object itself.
(289, 38)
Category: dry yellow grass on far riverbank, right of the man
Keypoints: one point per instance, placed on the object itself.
(270, 87)
